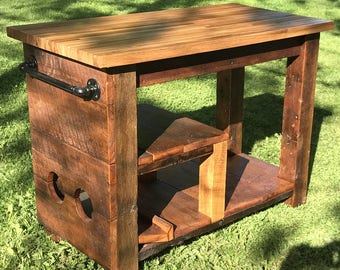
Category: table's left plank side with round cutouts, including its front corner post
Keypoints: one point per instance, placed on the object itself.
(74, 140)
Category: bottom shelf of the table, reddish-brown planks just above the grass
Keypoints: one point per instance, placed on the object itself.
(252, 185)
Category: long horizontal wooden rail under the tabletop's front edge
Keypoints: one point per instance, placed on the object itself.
(193, 65)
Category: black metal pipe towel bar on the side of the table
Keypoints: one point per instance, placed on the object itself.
(90, 92)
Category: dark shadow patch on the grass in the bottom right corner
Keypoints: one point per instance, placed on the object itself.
(307, 257)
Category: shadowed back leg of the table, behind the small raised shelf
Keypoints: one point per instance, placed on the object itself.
(229, 106)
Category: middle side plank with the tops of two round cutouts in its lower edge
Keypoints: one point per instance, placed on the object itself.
(74, 170)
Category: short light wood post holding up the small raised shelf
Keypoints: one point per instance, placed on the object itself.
(212, 183)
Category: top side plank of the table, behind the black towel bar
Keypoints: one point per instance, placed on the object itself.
(61, 115)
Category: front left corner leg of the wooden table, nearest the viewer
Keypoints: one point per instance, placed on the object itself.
(123, 113)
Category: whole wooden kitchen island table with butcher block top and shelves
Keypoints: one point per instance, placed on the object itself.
(122, 181)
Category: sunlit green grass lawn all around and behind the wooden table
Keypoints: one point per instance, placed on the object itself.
(307, 237)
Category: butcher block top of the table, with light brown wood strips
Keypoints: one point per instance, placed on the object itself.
(120, 40)
